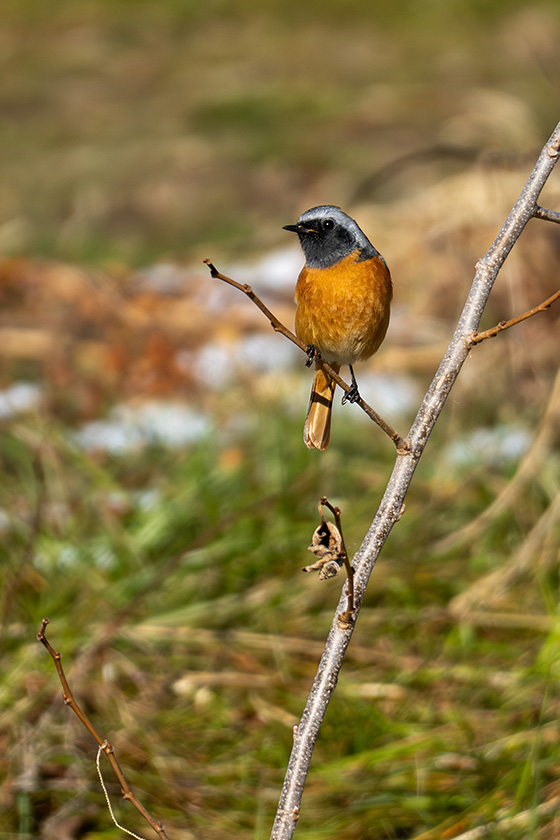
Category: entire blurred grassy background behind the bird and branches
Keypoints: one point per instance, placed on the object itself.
(157, 499)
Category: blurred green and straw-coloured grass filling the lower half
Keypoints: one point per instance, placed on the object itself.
(191, 636)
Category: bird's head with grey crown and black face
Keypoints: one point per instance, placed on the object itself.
(327, 238)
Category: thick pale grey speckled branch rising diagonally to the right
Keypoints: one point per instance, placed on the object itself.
(305, 734)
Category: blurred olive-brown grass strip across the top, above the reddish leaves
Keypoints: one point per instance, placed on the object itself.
(132, 129)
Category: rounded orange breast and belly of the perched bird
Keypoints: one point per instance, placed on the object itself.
(344, 310)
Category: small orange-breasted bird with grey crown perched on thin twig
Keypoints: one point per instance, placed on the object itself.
(343, 302)
